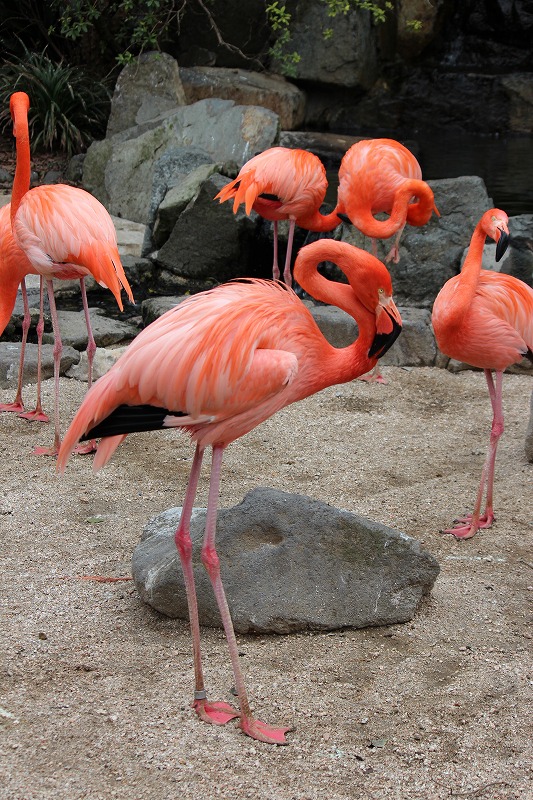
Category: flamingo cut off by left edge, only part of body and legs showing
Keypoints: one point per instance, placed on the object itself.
(14, 266)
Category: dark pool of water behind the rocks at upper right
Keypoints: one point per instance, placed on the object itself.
(505, 164)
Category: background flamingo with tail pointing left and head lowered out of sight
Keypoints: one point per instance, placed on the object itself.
(279, 184)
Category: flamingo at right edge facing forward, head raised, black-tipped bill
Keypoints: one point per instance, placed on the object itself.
(485, 319)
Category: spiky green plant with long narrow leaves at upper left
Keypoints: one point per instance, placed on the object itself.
(68, 108)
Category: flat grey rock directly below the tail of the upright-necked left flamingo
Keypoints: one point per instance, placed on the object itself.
(106, 330)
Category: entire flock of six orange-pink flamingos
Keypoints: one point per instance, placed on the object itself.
(225, 360)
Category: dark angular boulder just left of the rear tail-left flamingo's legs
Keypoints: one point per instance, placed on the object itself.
(220, 257)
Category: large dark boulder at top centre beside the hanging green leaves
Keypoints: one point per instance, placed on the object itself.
(347, 58)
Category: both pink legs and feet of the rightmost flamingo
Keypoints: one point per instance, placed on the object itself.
(472, 522)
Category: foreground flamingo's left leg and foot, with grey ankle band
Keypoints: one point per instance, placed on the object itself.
(216, 713)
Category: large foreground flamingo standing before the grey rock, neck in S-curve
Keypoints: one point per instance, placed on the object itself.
(219, 364)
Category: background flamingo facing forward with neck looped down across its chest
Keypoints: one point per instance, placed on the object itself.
(382, 175)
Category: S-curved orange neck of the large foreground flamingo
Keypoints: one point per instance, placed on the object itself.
(354, 359)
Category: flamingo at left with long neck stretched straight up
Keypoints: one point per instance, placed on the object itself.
(64, 233)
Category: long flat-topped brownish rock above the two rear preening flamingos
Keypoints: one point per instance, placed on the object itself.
(247, 88)
